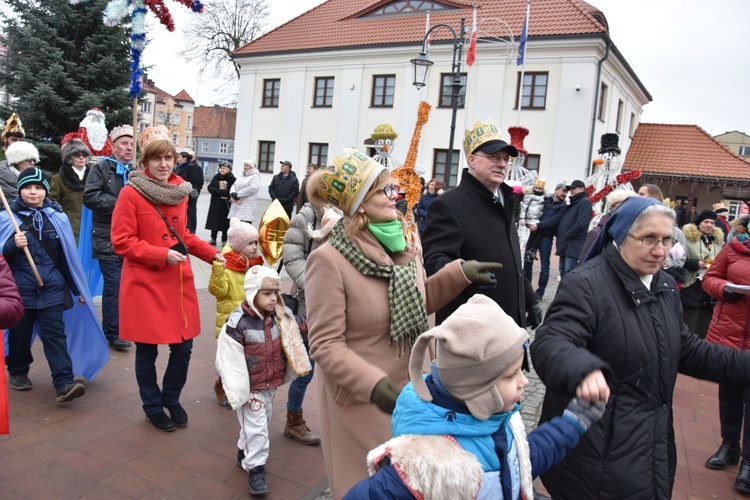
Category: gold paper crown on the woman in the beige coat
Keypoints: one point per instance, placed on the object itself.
(347, 186)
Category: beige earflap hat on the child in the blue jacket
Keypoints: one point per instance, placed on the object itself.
(475, 346)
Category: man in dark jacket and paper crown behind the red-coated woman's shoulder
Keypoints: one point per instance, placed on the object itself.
(103, 185)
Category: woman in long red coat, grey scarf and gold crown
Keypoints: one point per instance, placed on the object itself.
(158, 303)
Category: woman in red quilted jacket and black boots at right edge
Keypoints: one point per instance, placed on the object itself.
(729, 327)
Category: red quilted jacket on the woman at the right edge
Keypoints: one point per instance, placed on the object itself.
(729, 324)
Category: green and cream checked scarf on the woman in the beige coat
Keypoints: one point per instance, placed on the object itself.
(406, 304)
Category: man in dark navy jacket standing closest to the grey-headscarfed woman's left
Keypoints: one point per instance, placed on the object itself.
(573, 227)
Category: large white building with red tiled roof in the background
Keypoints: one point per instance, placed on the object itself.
(324, 80)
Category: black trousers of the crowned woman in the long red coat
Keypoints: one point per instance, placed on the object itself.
(155, 399)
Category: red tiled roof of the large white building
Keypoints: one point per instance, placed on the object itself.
(339, 23)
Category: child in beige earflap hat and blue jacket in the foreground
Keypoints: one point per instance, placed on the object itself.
(457, 431)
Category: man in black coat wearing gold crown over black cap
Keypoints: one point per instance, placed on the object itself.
(474, 221)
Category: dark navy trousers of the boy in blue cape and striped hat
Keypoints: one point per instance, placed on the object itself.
(52, 333)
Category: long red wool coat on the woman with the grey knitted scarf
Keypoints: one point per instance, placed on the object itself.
(158, 303)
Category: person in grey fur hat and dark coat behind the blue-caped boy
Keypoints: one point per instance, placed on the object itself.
(66, 186)
